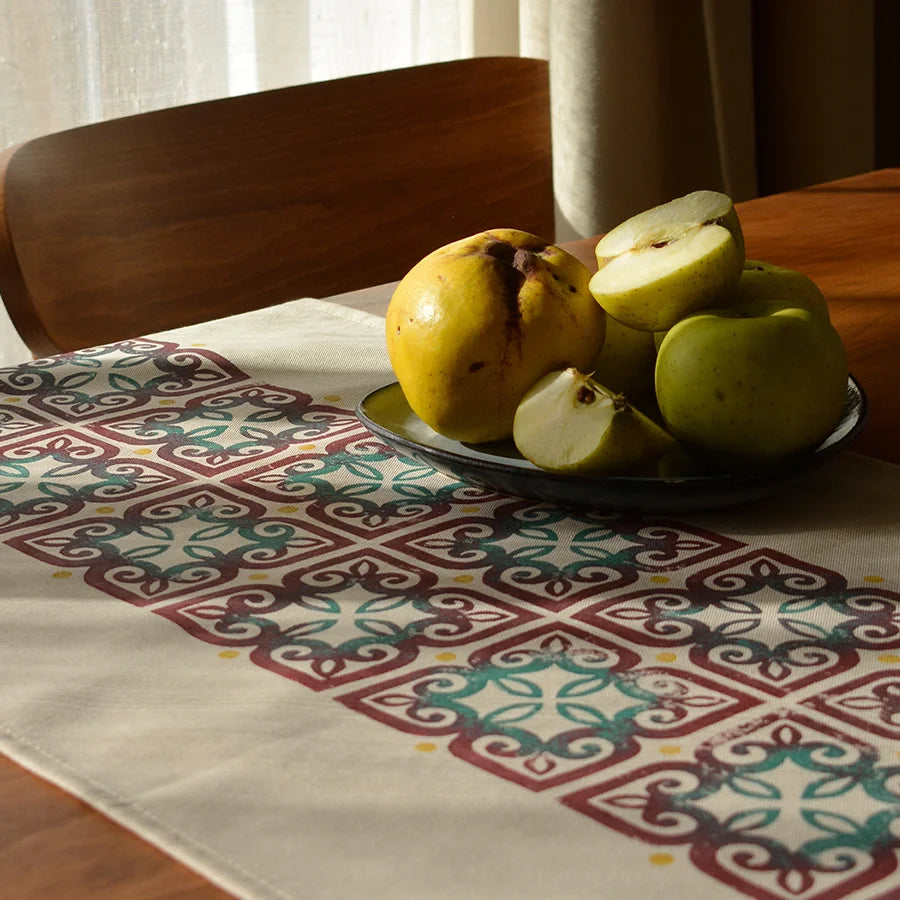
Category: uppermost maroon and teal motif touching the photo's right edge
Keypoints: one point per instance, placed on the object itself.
(763, 618)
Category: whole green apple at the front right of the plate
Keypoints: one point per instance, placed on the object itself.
(748, 386)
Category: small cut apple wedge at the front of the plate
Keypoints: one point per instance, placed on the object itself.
(567, 422)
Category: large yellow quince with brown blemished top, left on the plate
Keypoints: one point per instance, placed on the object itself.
(475, 323)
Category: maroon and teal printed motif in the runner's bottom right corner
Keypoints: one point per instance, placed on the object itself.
(787, 809)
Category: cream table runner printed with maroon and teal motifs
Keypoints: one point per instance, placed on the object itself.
(240, 625)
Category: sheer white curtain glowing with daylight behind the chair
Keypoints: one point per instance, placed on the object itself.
(68, 62)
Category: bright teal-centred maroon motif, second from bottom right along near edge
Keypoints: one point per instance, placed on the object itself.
(546, 706)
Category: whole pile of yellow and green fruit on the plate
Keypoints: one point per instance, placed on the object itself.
(678, 348)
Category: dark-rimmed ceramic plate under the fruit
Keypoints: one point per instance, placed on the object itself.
(500, 467)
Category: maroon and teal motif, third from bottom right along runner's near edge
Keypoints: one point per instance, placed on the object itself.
(344, 619)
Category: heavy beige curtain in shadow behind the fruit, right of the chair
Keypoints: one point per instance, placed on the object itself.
(652, 99)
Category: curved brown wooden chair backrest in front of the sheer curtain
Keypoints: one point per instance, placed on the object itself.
(174, 217)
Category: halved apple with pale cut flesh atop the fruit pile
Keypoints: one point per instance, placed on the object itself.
(672, 260)
